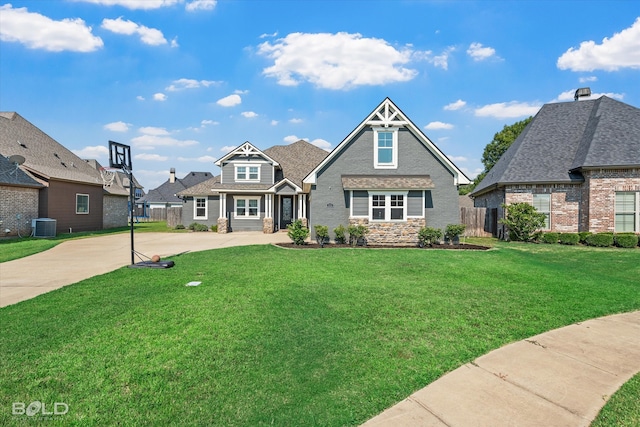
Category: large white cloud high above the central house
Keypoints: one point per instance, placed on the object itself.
(335, 61)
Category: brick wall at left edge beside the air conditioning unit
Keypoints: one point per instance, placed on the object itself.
(17, 201)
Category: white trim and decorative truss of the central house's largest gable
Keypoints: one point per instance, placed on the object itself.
(388, 115)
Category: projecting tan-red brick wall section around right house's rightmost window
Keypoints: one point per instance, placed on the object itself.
(601, 186)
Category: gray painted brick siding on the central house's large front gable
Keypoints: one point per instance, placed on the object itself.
(328, 203)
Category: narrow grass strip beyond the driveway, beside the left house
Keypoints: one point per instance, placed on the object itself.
(14, 248)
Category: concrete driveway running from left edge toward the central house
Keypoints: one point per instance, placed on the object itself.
(76, 260)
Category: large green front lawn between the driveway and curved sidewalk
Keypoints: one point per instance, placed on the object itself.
(286, 337)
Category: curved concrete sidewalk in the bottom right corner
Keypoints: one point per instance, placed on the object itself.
(559, 378)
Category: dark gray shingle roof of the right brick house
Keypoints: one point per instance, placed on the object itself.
(564, 138)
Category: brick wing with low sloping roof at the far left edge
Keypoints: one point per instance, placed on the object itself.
(18, 198)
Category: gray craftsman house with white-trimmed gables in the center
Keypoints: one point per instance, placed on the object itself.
(386, 175)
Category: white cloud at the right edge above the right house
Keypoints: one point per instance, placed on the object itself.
(622, 50)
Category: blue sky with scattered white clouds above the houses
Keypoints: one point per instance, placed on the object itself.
(184, 81)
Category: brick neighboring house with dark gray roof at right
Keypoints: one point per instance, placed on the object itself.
(578, 163)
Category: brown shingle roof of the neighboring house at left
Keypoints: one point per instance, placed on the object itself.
(44, 157)
